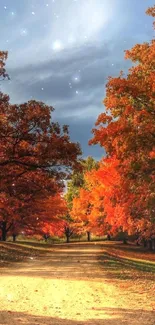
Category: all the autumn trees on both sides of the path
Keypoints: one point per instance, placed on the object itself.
(107, 197)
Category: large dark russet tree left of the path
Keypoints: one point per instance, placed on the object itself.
(36, 155)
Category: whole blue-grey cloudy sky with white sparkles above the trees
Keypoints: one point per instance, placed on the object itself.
(62, 51)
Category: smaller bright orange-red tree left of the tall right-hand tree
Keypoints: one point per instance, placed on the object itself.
(94, 207)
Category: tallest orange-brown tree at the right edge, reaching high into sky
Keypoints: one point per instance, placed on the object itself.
(127, 132)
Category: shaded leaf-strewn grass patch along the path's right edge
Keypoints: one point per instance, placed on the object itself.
(127, 263)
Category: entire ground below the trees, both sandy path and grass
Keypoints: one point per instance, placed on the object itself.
(98, 283)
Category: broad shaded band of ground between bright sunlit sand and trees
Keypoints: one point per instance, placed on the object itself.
(72, 261)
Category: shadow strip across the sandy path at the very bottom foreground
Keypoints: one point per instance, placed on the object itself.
(103, 316)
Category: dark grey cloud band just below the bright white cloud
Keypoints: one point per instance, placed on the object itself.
(53, 80)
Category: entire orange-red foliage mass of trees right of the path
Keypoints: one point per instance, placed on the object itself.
(121, 193)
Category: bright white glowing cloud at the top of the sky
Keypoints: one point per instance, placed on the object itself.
(69, 24)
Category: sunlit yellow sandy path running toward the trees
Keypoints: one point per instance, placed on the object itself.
(67, 286)
